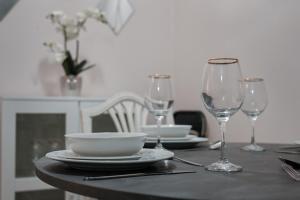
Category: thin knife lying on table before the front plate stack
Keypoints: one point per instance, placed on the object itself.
(93, 178)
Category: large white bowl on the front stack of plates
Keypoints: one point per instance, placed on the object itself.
(106, 144)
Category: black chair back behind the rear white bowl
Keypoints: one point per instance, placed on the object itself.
(196, 118)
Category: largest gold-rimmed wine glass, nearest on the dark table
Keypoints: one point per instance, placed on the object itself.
(222, 95)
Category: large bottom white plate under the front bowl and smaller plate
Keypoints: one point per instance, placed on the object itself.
(148, 157)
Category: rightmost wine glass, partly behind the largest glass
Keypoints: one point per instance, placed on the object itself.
(254, 104)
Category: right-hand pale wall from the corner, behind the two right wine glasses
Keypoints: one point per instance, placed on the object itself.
(264, 35)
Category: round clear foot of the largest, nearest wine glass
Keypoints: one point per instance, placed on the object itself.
(223, 166)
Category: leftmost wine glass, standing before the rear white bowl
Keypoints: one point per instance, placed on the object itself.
(159, 100)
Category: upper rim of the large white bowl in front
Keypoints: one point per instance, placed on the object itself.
(105, 135)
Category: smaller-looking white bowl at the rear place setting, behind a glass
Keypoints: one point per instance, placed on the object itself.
(167, 130)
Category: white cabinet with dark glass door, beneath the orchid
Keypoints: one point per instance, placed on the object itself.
(30, 127)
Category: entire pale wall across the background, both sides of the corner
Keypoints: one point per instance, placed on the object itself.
(169, 36)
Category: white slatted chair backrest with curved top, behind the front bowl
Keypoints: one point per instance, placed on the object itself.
(126, 109)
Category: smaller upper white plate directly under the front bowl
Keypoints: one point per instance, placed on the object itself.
(69, 154)
